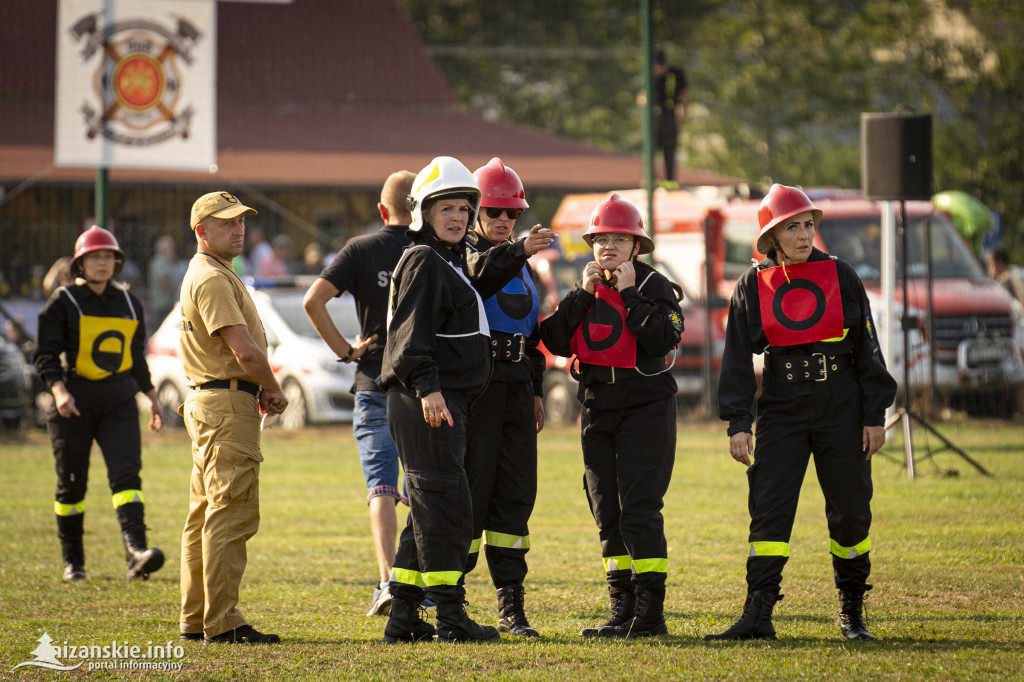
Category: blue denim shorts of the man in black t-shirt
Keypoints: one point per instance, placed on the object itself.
(378, 456)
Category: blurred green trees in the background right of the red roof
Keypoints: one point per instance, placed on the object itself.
(777, 87)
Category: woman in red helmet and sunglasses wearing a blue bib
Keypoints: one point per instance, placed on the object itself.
(501, 450)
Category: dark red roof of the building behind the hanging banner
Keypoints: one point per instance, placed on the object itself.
(313, 93)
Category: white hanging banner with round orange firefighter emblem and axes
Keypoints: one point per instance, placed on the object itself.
(137, 84)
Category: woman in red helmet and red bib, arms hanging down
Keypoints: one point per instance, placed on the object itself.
(825, 392)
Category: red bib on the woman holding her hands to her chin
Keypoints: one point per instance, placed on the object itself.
(603, 338)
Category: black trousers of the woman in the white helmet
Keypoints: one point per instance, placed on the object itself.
(434, 546)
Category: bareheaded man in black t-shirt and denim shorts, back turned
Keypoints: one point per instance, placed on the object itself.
(364, 268)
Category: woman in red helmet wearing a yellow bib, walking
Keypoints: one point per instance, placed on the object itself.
(99, 329)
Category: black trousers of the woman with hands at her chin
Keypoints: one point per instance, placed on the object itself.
(628, 458)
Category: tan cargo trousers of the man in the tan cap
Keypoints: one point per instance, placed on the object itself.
(224, 507)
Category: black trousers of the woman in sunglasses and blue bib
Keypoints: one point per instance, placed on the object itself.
(501, 465)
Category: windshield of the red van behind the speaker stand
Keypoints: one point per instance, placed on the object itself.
(858, 241)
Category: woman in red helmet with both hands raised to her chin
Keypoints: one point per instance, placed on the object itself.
(621, 321)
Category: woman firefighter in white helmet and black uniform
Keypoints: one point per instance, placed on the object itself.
(437, 361)
